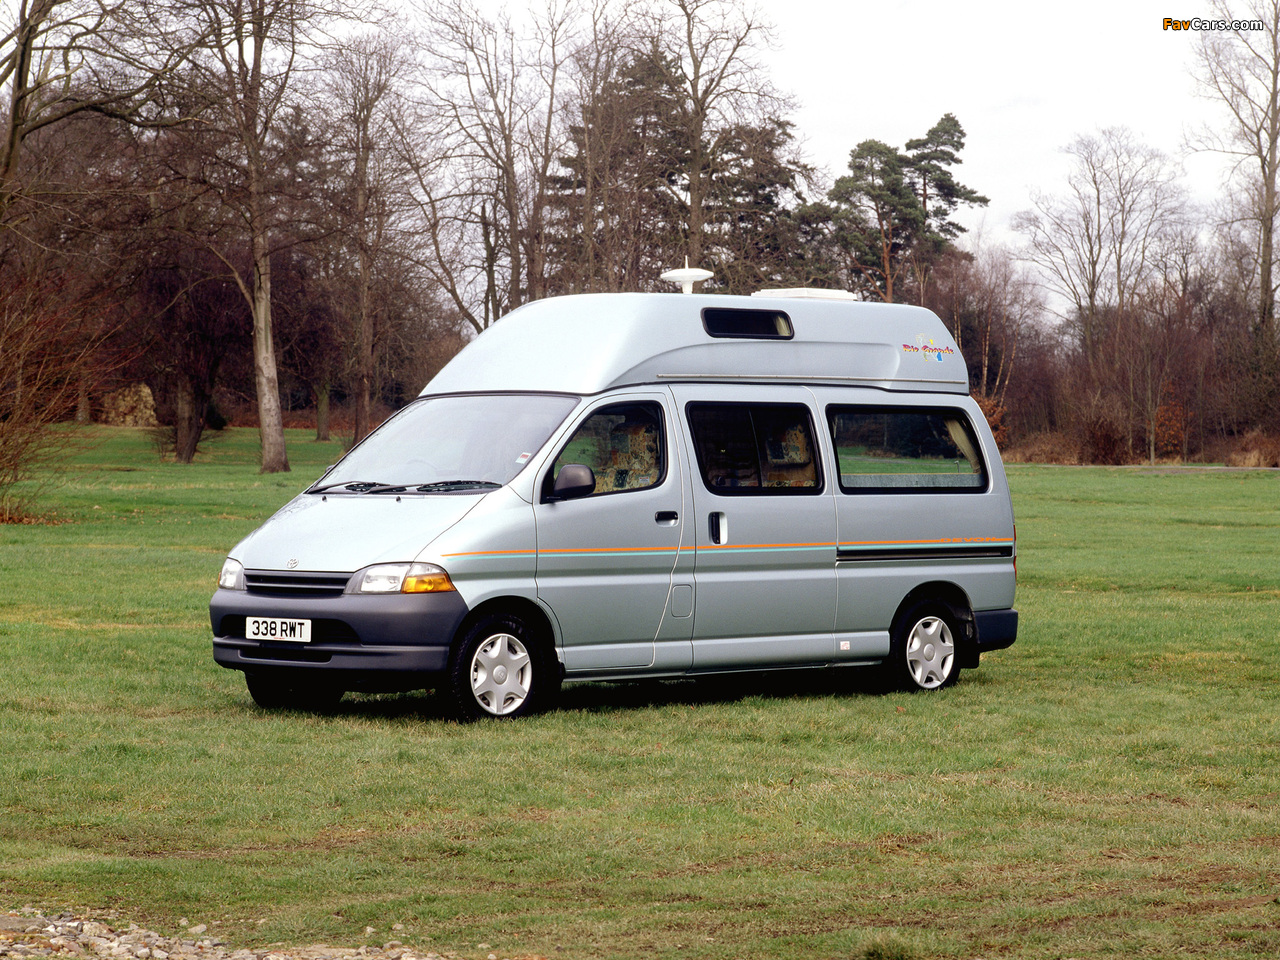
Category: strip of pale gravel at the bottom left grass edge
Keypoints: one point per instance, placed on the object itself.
(30, 934)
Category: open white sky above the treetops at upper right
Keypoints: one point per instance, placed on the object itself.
(1022, 79)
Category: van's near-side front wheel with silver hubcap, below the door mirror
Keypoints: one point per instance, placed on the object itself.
(504, 669)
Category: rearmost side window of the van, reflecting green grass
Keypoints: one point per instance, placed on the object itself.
(906, 450)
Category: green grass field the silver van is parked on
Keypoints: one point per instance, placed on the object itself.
(1109, 787)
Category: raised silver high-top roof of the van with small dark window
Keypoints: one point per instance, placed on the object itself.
(589, 344)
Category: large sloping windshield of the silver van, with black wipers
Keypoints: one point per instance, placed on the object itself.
(451, 445)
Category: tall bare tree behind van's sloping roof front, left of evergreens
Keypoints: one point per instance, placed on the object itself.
(496, 99)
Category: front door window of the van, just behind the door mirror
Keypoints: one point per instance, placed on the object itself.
(624, 445)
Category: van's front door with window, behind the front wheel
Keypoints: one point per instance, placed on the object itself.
(606, 561)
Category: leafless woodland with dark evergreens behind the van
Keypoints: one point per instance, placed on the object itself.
(286, 212)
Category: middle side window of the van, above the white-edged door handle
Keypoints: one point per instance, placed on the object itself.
(748, 449)
